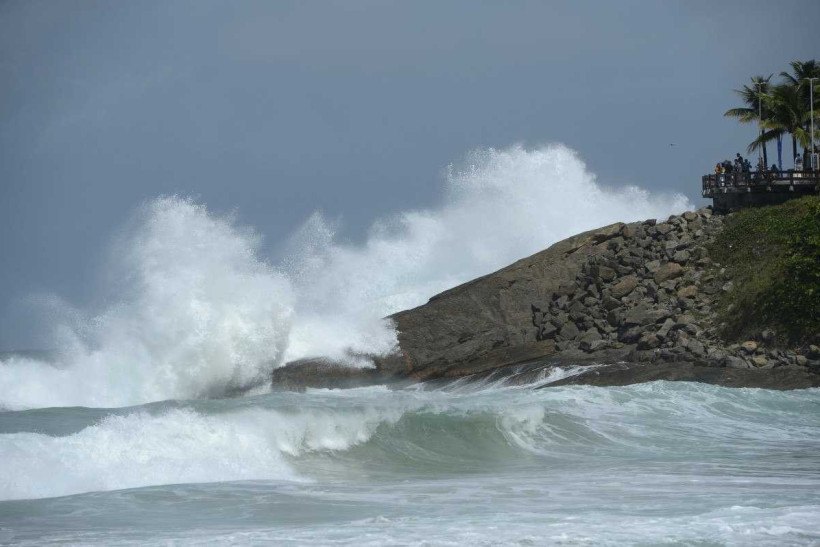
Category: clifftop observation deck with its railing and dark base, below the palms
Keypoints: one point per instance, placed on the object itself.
(731, 191)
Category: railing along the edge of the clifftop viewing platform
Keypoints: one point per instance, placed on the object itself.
(760, 181)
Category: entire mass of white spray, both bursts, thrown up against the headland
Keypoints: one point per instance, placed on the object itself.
(199, 313)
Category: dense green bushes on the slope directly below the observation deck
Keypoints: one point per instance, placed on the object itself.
(772, 256)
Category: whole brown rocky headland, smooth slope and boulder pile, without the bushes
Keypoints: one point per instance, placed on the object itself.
(641, 301)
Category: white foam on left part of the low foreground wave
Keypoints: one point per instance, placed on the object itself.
(178, 446)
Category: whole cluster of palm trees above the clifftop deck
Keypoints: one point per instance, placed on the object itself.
(781, 109)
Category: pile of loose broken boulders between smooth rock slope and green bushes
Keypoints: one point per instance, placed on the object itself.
(649, 294)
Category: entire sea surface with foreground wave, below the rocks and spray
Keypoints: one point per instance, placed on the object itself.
(658, 463)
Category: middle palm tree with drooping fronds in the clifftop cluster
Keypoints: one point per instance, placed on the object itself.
(787, 113)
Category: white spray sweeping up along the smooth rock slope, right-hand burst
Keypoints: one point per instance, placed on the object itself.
(498, 206)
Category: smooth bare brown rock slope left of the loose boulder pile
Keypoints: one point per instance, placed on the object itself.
(488, 322)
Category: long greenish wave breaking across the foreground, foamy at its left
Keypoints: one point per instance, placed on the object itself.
(407, 434)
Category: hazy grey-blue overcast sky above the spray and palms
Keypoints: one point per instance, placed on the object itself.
(280, 108)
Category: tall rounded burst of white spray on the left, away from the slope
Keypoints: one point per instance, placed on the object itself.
(194, 312)
